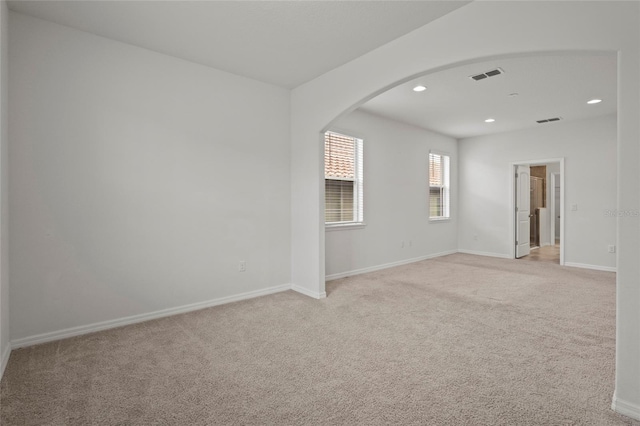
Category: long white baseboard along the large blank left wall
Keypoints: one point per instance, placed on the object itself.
(104, 325)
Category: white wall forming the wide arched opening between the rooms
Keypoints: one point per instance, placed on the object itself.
(484, 30)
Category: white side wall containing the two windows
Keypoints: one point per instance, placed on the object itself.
(395, 197)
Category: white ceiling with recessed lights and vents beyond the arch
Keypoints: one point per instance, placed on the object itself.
(549, 86)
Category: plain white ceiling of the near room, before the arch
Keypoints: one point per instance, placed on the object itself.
(285, 43)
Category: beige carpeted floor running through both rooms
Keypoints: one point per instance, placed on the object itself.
(459, 340)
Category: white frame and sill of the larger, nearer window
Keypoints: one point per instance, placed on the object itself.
(358, 192)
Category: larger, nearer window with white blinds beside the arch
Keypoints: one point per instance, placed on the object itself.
(343, 179)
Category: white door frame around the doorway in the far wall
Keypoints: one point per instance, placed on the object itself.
(512, 202)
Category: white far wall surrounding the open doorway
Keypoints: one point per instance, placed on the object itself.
(589, 148)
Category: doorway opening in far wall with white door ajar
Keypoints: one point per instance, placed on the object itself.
(538, 210)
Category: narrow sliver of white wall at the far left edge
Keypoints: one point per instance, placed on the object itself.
(4, 189)
